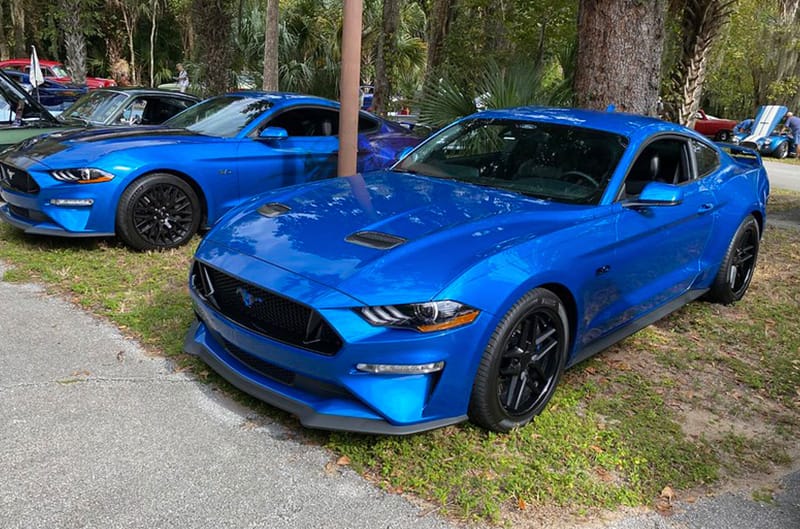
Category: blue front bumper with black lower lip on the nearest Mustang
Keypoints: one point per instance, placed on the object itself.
(327, 391)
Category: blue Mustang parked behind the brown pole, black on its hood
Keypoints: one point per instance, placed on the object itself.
(154, 187)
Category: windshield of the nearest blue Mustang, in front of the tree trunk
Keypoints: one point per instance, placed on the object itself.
(563, 163)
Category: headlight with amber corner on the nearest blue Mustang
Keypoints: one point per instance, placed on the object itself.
(424, 317)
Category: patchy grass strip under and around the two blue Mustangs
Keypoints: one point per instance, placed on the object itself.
(706, 398)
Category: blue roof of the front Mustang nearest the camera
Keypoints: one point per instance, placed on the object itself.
(622, 123)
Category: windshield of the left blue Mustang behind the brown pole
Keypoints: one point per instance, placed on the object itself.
(223, 117)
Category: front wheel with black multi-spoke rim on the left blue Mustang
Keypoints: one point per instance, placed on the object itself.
(158, 211)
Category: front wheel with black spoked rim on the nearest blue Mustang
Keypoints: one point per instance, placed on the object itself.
(522, 363)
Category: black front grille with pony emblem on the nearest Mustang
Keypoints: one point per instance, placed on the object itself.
(265, 312)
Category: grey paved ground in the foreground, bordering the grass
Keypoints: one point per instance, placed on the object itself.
(95, 434)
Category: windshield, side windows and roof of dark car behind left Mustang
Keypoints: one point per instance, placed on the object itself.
(127, 106)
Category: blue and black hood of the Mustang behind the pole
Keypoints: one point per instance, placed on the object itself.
(84, 146)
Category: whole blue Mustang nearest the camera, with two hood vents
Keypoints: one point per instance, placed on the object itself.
(462, 281)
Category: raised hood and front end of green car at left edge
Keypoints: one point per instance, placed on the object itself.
(21, 116)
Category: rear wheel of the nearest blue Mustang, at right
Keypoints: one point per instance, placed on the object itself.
(738, 265)
